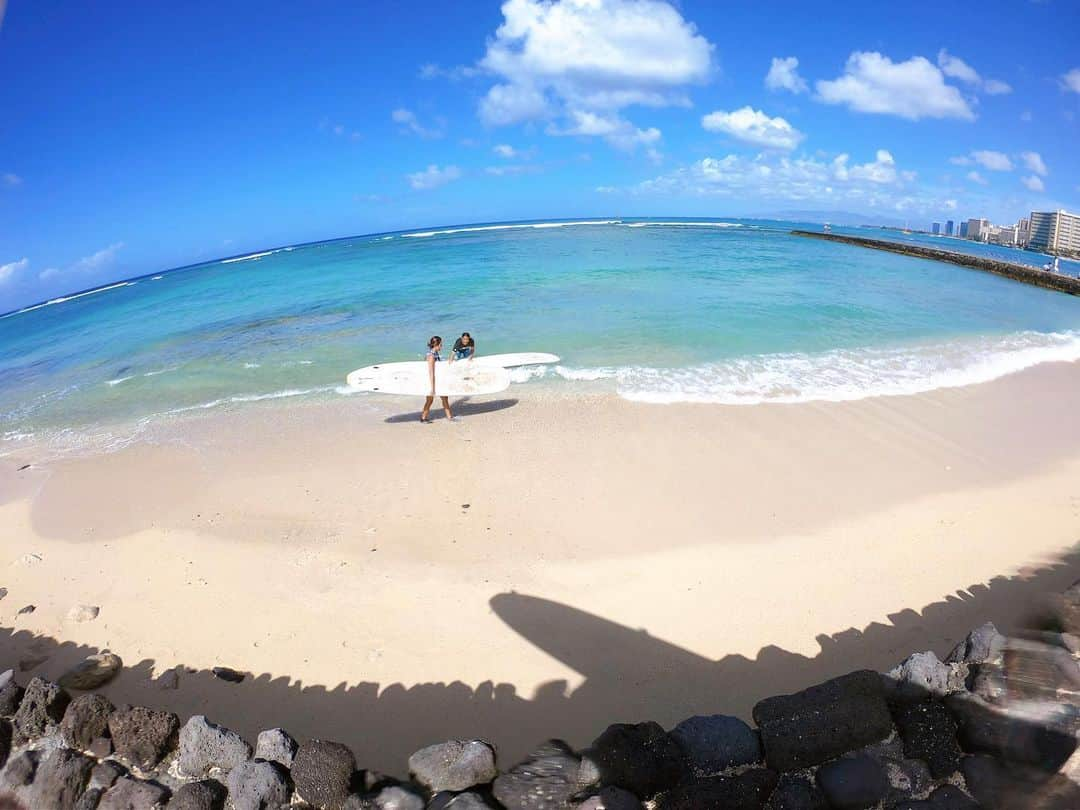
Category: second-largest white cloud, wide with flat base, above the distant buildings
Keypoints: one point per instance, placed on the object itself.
(915, 89)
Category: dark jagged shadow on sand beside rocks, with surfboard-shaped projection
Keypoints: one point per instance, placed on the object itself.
(629, 677)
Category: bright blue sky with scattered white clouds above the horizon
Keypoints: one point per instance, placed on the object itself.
(139, 137)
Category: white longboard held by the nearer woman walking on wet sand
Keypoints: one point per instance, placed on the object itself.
(411, 379)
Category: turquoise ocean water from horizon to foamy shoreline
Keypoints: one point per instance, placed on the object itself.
(719, 312)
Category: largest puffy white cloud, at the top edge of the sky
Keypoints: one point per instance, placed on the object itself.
(577, 59)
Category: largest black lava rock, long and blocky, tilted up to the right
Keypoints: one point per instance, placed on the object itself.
(823, 722)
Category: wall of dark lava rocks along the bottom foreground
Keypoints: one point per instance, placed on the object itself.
(995, 725)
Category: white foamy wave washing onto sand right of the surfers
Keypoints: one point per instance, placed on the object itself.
(838, 375)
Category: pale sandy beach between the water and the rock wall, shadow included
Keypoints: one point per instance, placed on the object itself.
(546, 565)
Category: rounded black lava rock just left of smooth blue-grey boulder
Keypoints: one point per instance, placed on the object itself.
(643, 759)
